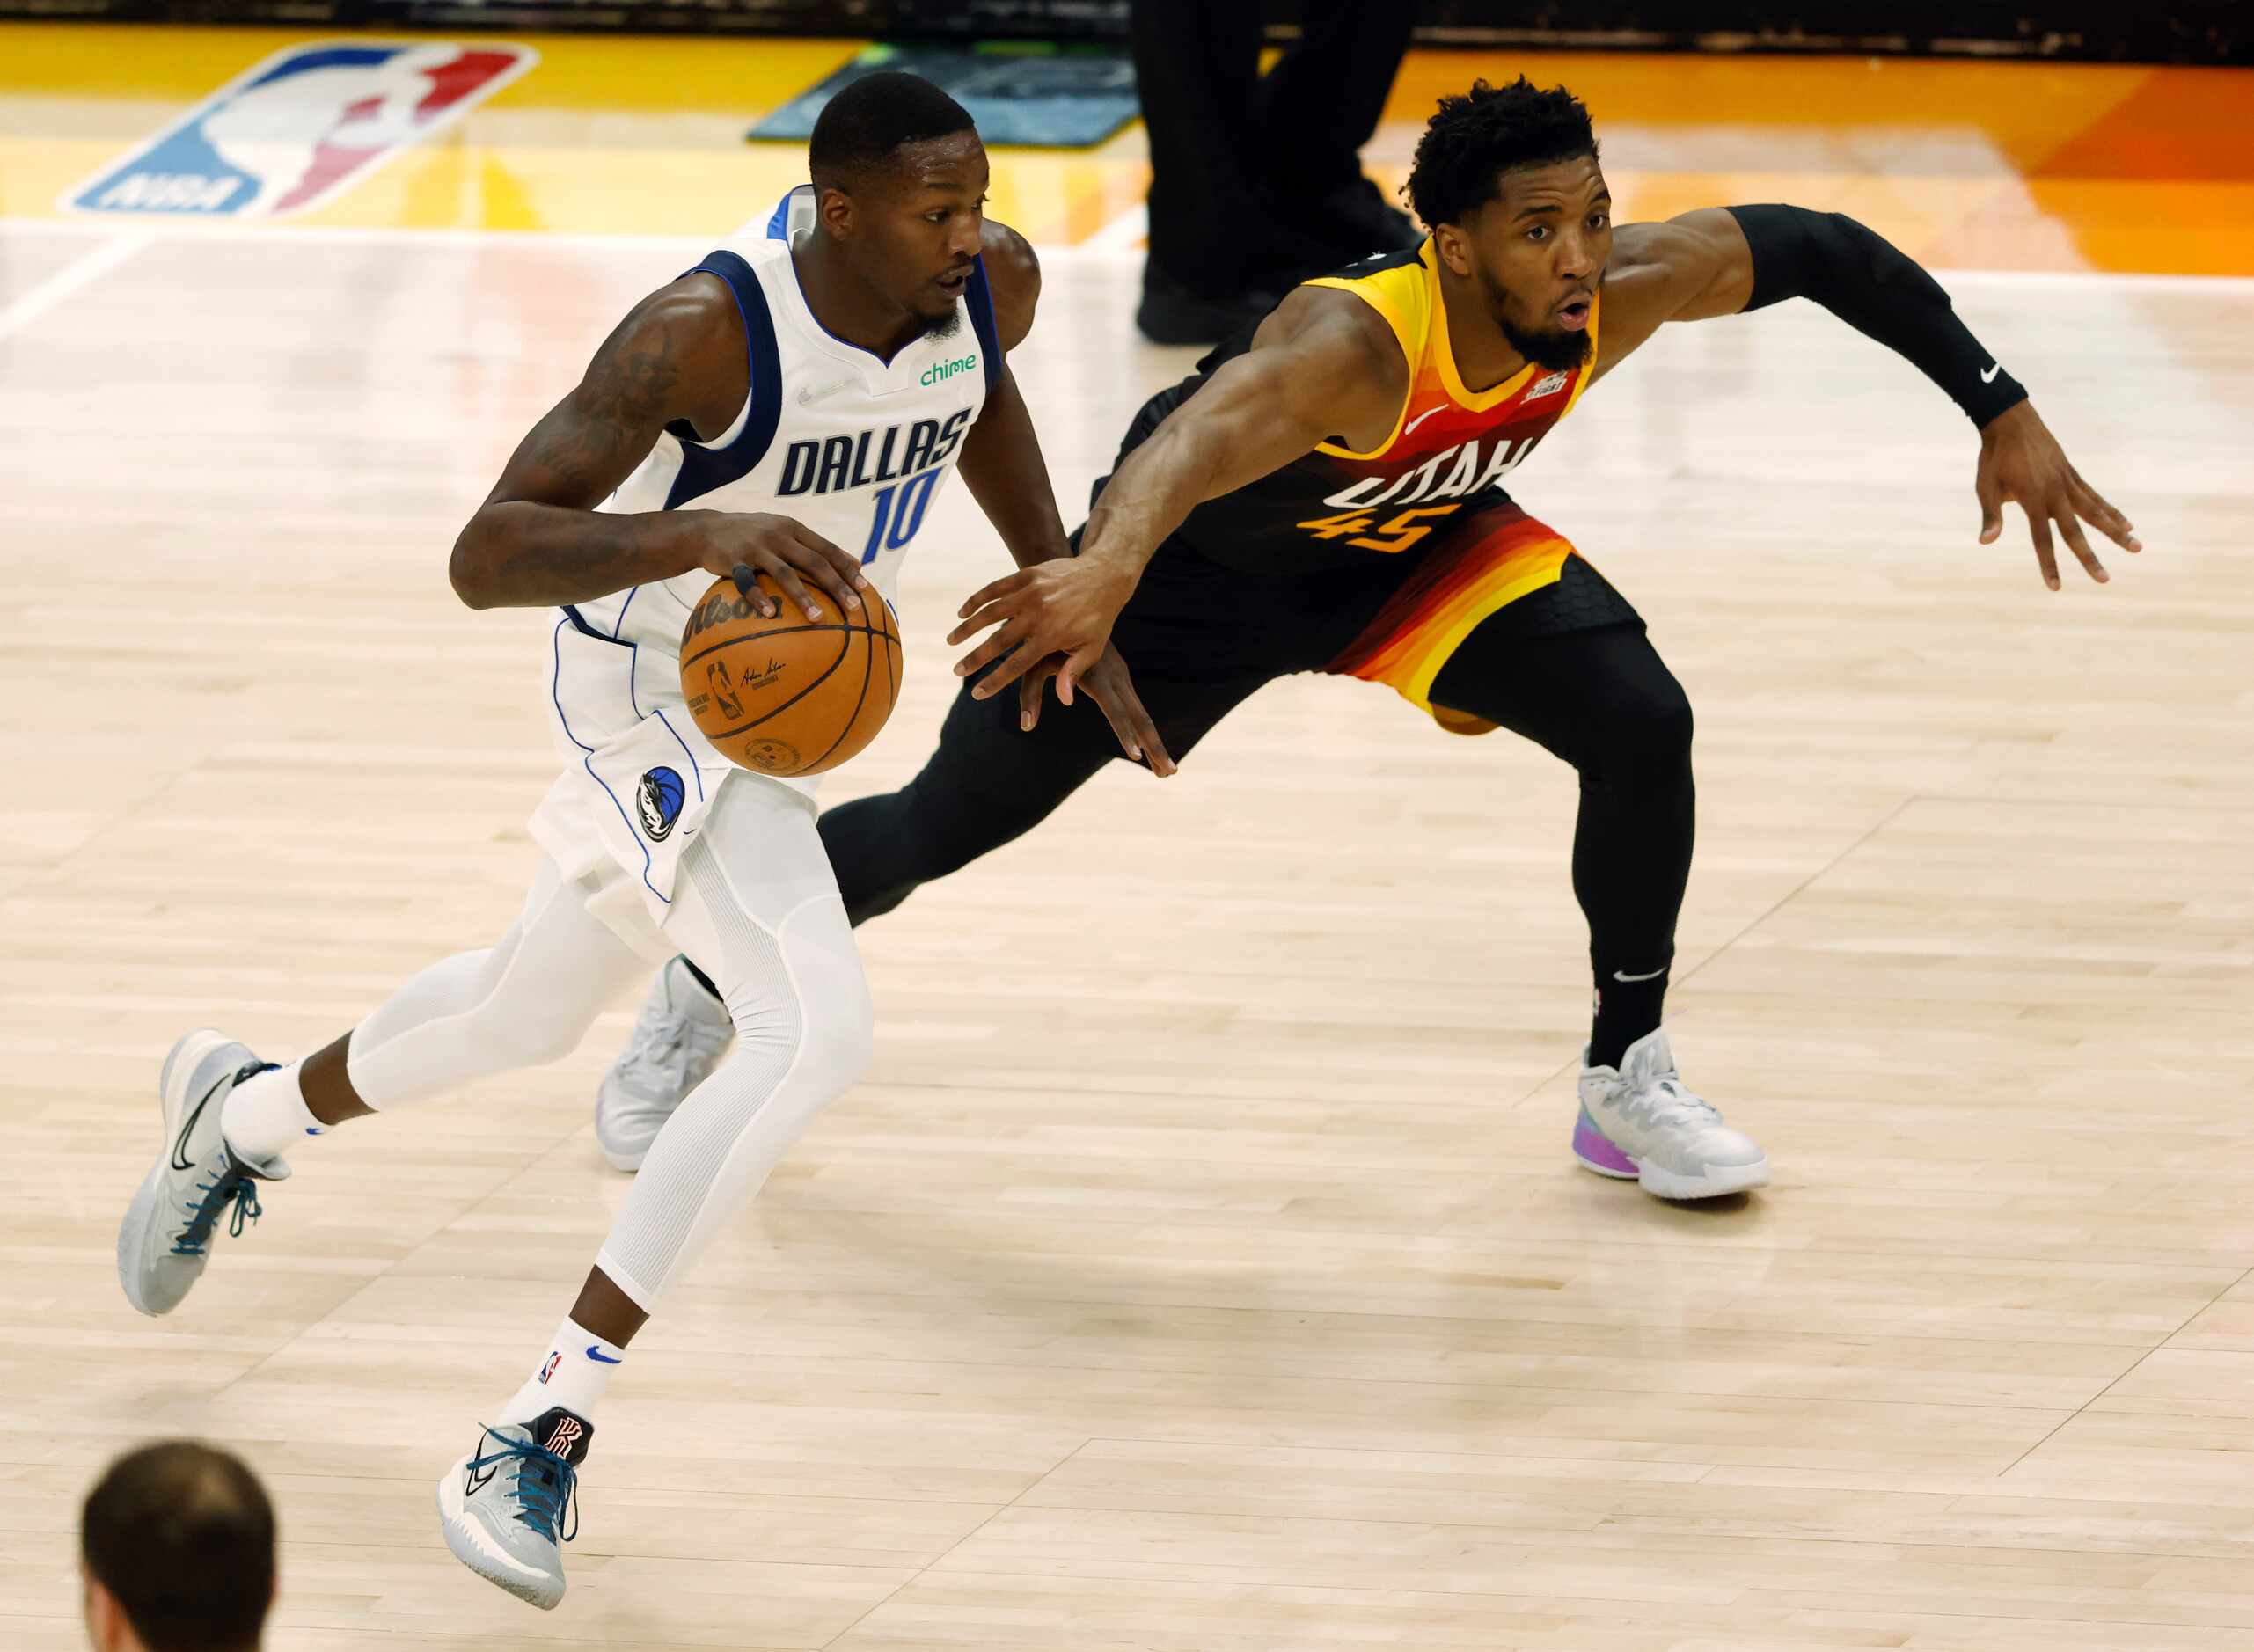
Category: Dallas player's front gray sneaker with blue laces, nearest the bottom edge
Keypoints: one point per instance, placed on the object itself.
(504, 1507)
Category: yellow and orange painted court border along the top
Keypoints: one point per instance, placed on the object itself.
(2041, 168)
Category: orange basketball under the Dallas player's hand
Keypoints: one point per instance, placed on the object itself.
(788, 695)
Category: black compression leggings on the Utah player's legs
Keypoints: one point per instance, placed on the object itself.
(1599, 700)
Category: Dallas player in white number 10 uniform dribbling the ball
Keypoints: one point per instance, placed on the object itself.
(790, 409)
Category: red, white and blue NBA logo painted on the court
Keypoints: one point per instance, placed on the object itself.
(301, 127)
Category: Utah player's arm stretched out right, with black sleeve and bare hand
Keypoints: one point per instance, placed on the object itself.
(1730, 260)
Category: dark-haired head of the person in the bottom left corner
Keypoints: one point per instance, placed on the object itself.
(186, 1543)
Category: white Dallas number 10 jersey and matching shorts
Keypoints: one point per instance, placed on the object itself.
(833, 436)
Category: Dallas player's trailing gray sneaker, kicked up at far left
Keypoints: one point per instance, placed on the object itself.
(168, 1234)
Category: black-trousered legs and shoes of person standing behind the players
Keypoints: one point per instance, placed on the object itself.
(1257, 179)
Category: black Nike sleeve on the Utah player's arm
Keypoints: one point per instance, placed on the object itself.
(1867, 283)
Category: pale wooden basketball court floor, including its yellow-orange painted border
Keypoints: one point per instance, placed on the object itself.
(1203, 1265)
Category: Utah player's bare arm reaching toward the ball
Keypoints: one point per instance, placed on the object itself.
(1322, 366)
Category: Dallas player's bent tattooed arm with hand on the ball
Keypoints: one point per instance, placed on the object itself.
(538, 540)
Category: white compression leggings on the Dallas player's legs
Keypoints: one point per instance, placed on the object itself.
(756, 907)
